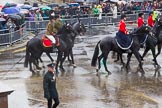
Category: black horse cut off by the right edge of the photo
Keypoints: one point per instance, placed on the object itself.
(155, 40)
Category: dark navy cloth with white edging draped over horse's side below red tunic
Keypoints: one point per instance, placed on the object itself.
(123, 41)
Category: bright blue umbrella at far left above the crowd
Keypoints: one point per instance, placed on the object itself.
(11, 10)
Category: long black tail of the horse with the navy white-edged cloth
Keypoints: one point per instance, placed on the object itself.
(95, 55)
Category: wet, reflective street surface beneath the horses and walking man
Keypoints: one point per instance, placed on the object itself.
(80, 87)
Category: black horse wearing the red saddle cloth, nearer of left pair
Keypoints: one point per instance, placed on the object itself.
(35, 48)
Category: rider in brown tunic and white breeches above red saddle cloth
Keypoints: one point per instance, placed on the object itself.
(50, 33)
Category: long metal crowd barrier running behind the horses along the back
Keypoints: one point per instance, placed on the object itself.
(87, 21)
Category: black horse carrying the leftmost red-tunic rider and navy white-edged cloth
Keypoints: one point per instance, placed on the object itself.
(109, 44)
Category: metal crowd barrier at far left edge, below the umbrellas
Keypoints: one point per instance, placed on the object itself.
(9, 36)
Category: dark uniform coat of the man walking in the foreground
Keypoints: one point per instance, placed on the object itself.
(49, 85)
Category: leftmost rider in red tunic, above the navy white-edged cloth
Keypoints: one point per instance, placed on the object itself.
(122, 25)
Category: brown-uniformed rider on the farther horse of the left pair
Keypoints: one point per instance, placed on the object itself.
(57, 25)
